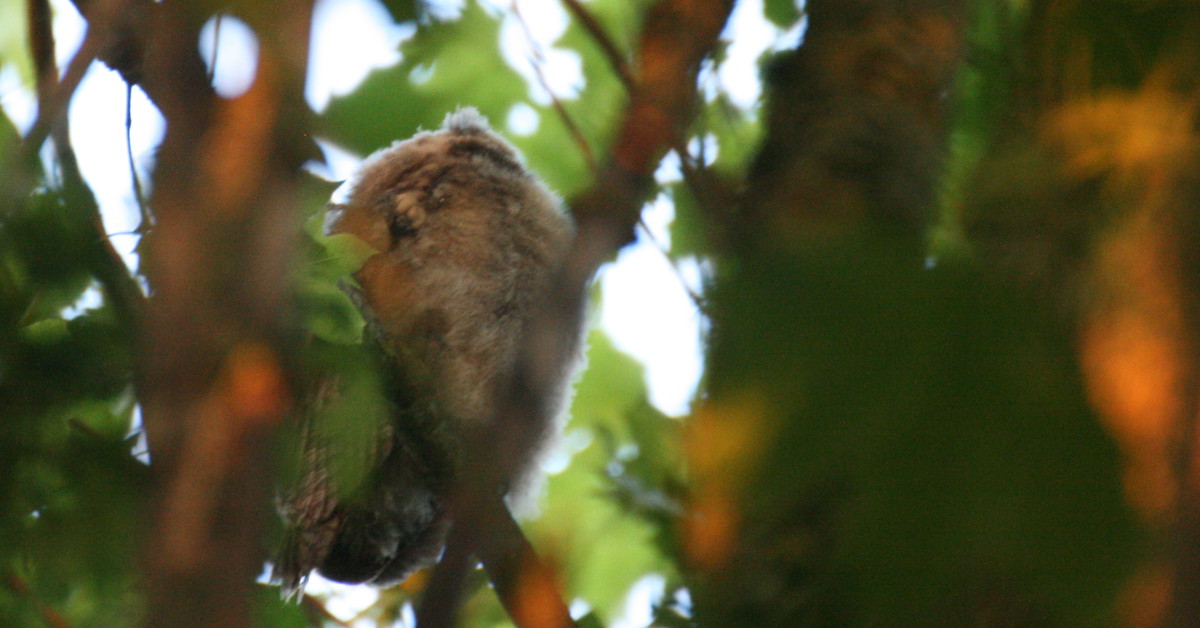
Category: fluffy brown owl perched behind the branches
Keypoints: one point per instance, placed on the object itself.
(467, 243)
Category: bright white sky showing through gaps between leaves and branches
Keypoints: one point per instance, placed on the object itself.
(646, 309)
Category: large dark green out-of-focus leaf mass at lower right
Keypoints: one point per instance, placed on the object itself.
(907, 447)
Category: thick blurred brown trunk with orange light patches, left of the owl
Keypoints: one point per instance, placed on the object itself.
(212, 363)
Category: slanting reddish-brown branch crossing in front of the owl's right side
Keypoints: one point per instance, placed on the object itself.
(676, 38)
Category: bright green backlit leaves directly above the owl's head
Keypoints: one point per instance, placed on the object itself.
(454, 63)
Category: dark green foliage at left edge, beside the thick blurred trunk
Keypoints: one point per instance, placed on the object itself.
(71, 492)
